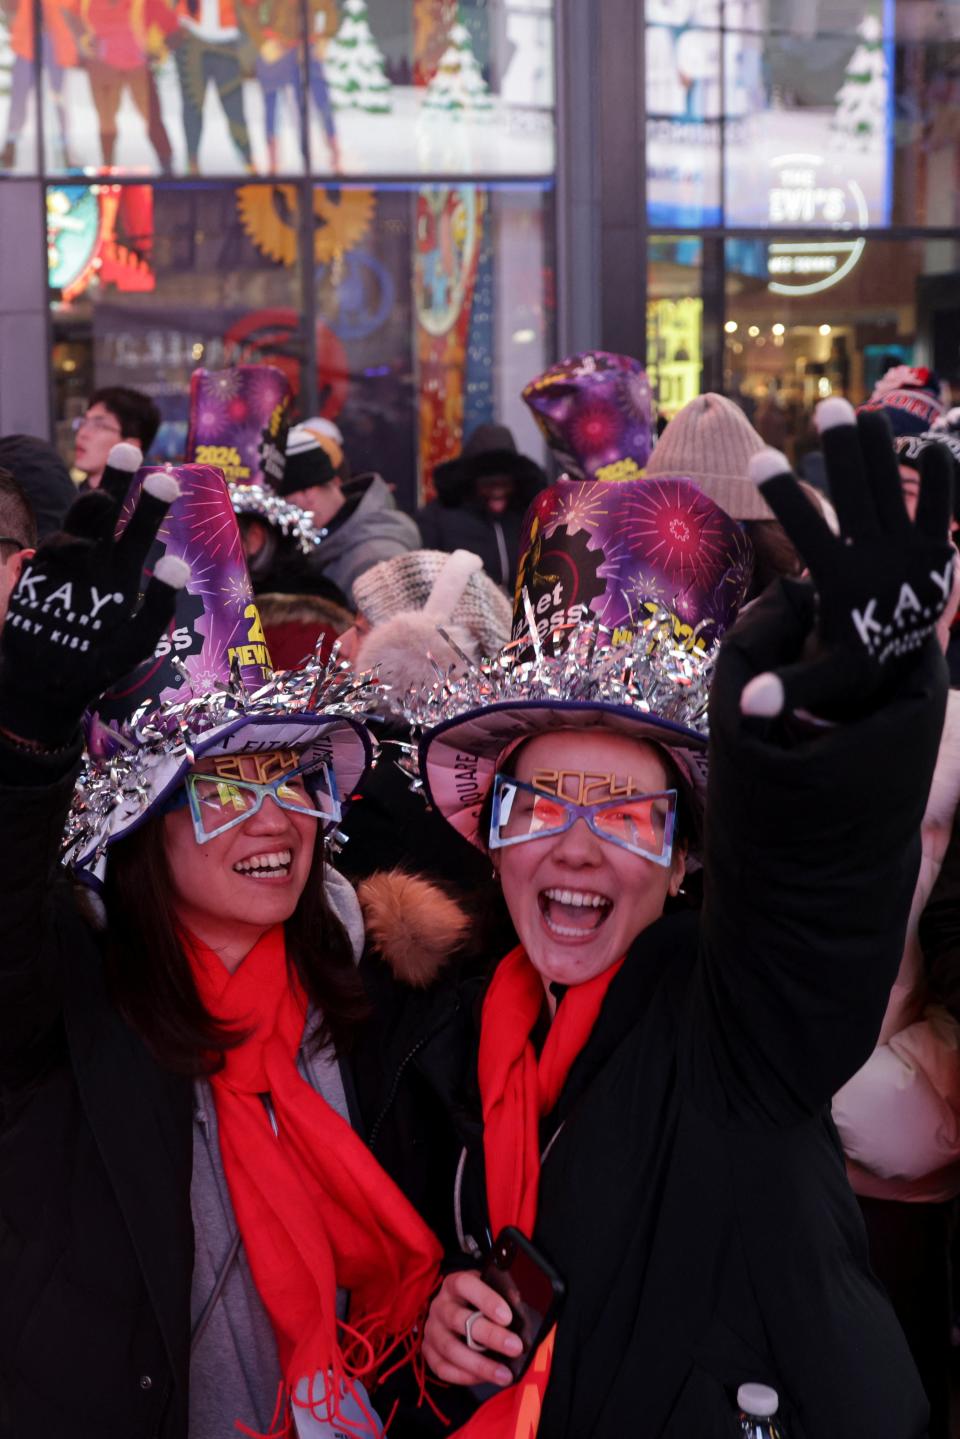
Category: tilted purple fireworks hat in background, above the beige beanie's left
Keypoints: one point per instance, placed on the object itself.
(597, 414)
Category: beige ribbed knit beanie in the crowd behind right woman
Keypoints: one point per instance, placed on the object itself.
(712, 442)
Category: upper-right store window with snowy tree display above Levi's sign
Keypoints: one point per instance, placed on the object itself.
(769, 113)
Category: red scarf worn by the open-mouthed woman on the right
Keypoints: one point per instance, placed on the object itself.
(517, 1090)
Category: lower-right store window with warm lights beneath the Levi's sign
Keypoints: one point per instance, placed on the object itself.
(791, 346)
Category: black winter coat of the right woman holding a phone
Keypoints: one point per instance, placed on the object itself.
(694, 1198)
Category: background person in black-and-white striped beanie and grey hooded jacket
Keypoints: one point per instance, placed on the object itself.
(361, 517)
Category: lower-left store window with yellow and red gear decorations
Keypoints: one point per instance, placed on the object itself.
(434, 306)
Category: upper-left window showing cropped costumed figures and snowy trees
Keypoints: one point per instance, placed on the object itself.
(225, 88)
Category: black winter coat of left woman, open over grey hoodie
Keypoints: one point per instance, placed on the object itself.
(97, 1155)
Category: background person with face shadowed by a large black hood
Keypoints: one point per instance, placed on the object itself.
(481, 500)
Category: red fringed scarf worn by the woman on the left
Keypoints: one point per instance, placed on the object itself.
(314, 1208)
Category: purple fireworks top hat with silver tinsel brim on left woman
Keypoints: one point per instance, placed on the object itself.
(208, 690)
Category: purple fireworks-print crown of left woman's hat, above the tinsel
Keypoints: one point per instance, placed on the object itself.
(217, 619)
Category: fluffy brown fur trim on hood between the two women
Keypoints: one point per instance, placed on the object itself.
(412, 925)
